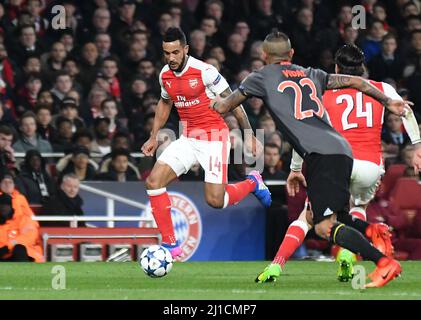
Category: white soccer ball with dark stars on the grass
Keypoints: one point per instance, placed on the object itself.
(156, 261)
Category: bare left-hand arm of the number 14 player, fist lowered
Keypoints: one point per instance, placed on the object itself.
(162, 113)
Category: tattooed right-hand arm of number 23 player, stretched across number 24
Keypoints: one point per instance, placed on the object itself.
(338, 81)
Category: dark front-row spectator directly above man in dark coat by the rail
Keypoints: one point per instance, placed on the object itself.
(78, 163)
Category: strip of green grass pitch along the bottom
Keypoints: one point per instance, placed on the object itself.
(197, 280)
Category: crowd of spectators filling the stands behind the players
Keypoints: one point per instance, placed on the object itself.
(90, 90)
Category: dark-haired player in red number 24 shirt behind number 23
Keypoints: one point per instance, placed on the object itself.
(359, 118)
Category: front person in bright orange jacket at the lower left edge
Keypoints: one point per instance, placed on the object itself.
(19, 234)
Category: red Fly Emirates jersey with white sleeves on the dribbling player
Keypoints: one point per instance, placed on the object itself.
(191, 90)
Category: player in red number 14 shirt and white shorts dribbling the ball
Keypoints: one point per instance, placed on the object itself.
(190, 84)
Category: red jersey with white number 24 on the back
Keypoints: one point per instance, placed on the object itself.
(359, 118)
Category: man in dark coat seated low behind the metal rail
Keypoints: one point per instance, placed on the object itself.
(67, 202)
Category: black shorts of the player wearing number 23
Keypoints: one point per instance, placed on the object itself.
(328, 178)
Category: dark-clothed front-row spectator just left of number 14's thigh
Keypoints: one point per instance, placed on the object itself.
(118, 169)
